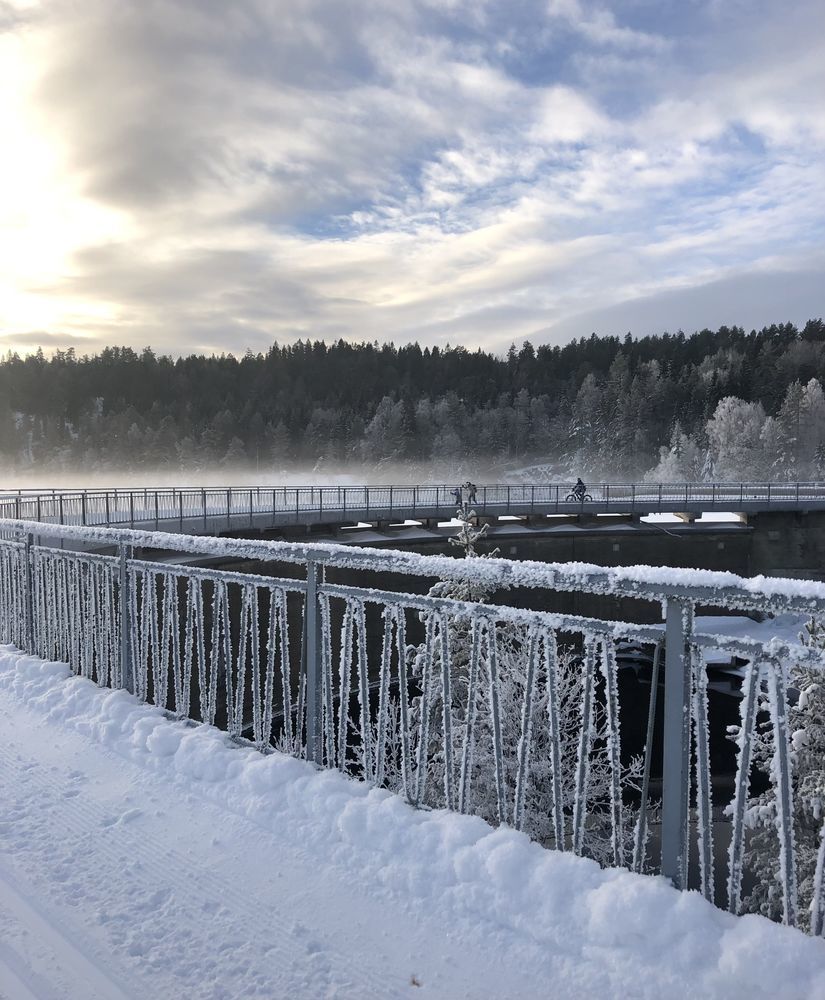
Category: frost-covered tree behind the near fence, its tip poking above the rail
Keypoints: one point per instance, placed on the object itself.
(512, 663)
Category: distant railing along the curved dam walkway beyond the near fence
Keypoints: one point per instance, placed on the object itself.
(212, 509)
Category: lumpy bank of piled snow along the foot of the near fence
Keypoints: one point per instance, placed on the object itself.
(609, 930)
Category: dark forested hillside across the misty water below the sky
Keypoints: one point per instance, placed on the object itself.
(599, 405)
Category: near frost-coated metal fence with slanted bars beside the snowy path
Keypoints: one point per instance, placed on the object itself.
(446, 695)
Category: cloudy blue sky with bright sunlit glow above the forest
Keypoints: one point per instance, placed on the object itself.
(209, 176)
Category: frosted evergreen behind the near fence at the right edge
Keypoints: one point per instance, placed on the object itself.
(807, 725)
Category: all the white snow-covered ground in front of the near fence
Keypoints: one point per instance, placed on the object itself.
(142, 858)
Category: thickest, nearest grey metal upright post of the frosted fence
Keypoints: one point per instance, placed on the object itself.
(676, 773)
